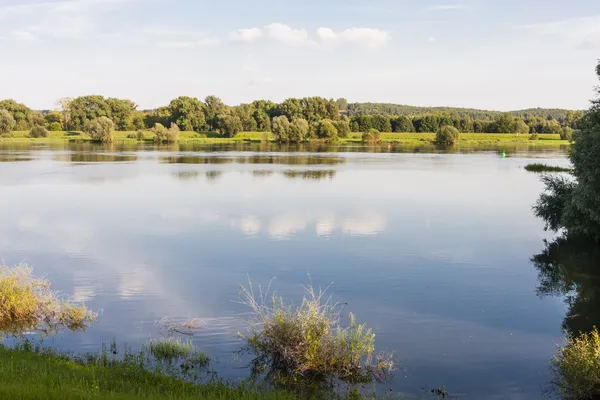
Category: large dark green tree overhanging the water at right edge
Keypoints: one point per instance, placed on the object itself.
(574, 204)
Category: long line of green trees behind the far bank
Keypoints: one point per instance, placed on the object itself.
(293, 120)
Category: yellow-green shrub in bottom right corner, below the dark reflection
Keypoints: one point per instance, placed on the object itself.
(576, 367)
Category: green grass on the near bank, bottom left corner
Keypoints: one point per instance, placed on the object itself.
(31, 375)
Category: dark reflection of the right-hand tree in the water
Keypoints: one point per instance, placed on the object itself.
(569, 267)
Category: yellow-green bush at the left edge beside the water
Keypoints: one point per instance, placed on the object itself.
(28, 304)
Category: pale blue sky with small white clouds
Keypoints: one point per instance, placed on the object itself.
(486, 54)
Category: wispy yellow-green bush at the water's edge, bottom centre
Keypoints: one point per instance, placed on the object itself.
(308, 344)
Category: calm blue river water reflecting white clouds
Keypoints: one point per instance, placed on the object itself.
(431, 250)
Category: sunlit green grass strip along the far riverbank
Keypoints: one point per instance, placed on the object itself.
(545, 140)
